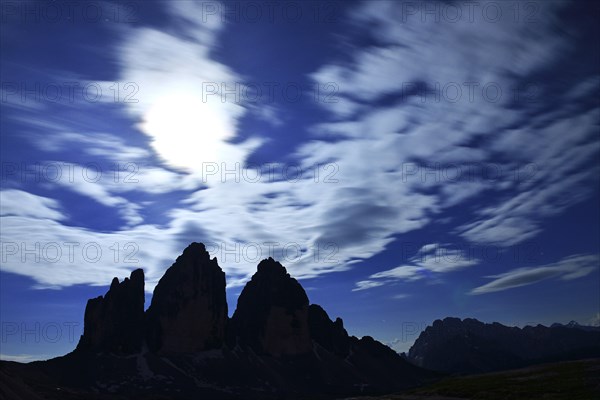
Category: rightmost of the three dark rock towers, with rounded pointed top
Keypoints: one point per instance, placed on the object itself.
(272, 313)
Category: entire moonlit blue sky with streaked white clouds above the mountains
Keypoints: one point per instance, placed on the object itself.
(405, 161)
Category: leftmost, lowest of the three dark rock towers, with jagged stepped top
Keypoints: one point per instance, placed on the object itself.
(114, 323)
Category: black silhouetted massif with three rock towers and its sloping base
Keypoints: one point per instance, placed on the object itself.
(184, 346)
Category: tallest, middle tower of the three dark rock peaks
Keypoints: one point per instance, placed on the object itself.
(188, 312)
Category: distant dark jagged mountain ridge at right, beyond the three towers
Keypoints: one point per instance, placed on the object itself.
(470, 346)
